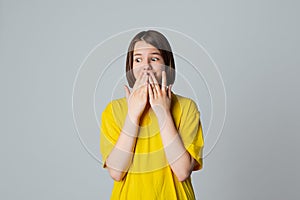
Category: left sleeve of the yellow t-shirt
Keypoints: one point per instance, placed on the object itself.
(109, 132)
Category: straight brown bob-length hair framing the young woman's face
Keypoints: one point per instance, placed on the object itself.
(160, 42)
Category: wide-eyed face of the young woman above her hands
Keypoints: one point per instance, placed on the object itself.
(147, 58)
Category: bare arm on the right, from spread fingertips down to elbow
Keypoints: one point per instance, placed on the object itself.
(181, 162)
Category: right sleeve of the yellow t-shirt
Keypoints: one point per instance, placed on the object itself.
(191, 133)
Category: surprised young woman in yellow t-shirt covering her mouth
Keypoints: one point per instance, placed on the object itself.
(151, 141)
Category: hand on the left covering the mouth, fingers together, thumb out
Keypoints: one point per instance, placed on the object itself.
(137, 99)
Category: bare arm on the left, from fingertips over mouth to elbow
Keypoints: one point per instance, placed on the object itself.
(120, 158)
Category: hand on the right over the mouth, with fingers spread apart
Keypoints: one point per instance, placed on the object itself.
(159, 97)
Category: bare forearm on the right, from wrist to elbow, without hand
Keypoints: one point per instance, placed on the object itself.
(180, 160)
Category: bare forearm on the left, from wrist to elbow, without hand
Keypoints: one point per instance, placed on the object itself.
(120, 158)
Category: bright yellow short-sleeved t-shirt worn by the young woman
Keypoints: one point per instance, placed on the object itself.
(150, 176)
